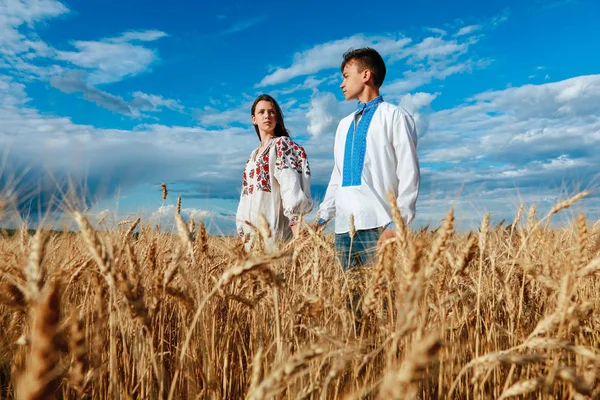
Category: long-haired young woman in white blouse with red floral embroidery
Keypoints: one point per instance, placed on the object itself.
(276, 180)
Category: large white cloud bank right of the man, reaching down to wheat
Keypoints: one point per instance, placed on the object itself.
(522, 144)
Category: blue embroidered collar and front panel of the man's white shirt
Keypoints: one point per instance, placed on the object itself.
(356, 143)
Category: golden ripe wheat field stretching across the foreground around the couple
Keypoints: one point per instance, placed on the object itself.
(134, 312)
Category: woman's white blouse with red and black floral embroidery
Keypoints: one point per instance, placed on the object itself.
(276, 183)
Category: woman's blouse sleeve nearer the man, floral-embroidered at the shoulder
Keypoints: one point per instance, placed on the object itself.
(292, 172)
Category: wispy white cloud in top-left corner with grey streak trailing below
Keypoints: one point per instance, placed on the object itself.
(108, 60)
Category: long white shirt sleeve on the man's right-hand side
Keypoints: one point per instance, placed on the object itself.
(407, 165)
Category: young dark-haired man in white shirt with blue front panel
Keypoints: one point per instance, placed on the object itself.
(375, 151)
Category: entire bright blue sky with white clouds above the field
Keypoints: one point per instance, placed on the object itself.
(126, 95)
